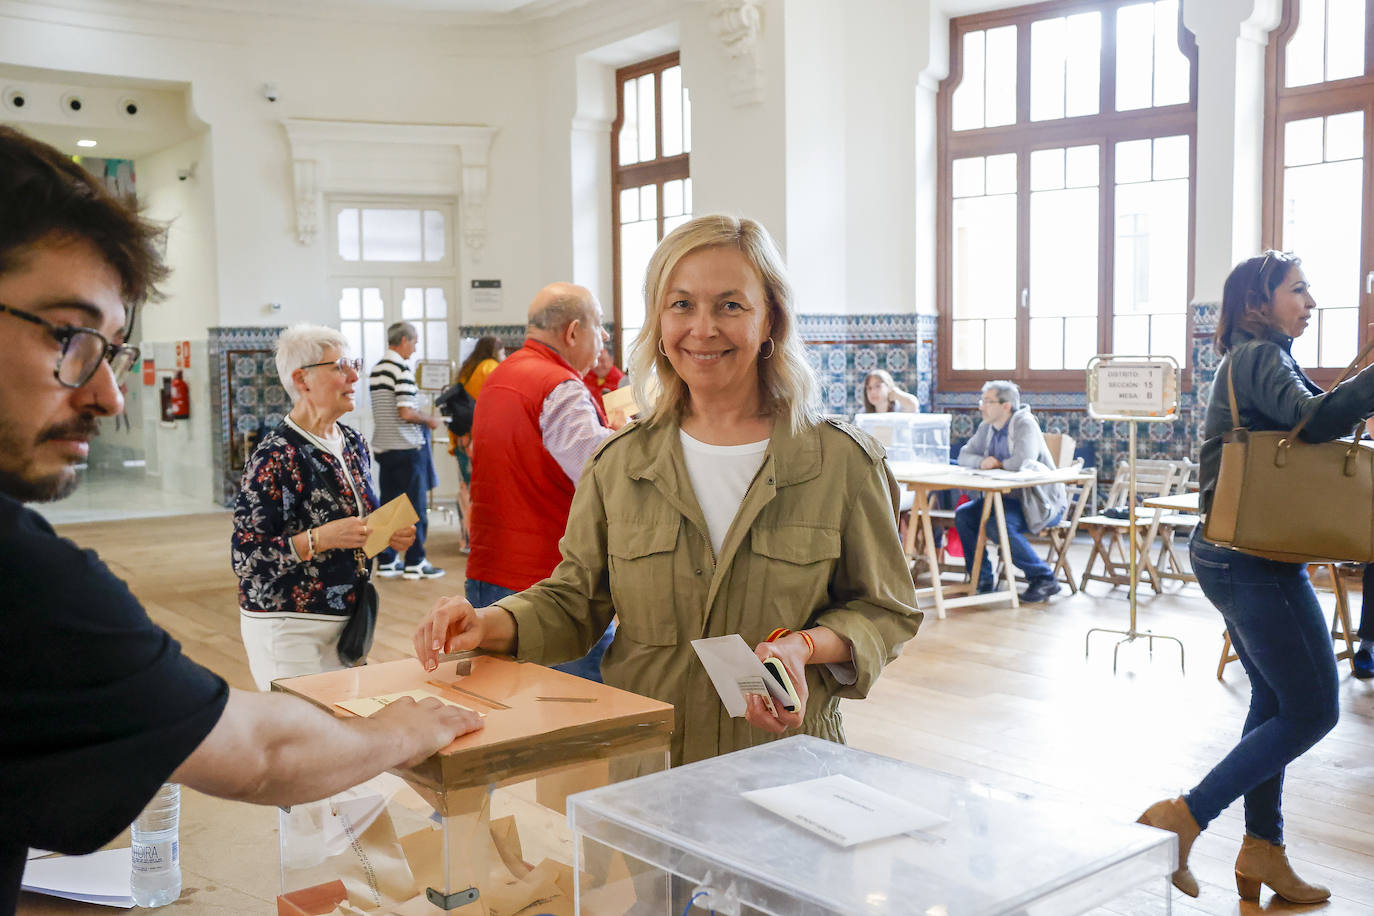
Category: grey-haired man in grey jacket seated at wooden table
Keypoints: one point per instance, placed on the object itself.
(1011, 439)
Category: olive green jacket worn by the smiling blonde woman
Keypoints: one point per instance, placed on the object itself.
(815, 545)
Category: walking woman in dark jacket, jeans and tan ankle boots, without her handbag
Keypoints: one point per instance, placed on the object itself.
(1270, 609)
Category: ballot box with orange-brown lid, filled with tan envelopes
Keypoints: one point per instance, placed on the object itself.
(479, 829)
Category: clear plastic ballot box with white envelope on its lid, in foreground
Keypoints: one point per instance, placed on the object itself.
(688, 841)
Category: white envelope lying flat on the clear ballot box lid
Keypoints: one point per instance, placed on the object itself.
(844, 811)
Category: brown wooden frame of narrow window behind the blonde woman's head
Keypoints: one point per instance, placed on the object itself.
(657, 172)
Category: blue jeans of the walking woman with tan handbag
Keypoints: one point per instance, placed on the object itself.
(1280, 634)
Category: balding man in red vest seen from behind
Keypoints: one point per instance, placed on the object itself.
(535, 428)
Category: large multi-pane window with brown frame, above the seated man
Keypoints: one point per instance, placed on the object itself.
(1067, 150)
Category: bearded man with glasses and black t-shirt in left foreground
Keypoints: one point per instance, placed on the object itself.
(98, 705)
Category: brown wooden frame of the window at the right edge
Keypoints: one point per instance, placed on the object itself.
(1318, 100)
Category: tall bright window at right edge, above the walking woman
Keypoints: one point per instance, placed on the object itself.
(1318, 200)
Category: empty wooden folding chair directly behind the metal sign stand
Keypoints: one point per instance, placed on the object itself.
(1110, 547)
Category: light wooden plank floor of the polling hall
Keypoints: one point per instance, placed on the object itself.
(1001, 697)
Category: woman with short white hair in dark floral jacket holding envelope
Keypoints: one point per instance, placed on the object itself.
(299, 523)
